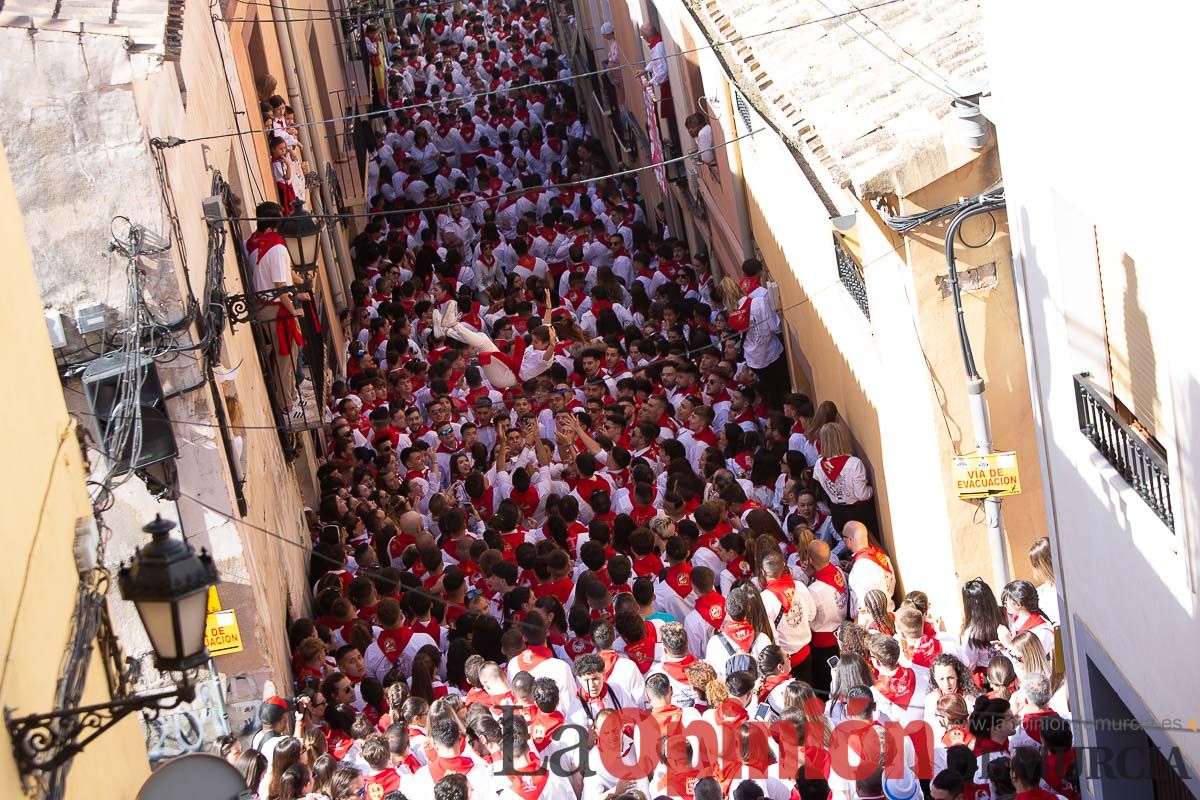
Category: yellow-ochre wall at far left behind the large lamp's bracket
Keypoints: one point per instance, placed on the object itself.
(43, 472)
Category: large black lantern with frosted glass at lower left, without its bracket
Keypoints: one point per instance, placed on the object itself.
(169, 584)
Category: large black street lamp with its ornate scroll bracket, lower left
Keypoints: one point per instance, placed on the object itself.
(169, 584)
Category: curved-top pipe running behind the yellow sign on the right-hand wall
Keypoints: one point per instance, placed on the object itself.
(980, 420)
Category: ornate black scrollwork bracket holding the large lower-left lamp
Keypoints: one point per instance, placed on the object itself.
(46, 742)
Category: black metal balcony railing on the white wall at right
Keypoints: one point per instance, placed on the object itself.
(1127, 450)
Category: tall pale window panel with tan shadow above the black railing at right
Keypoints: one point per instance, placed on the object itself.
(1135, 371)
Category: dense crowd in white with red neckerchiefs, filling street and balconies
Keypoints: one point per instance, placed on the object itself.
(573, 519)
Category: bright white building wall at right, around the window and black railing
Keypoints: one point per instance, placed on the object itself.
(1095, 130)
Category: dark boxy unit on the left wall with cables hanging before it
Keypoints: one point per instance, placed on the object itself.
(101, 387)
